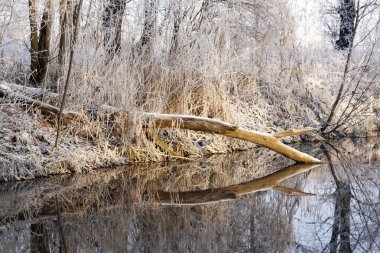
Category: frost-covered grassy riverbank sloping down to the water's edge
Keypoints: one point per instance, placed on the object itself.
(27, 135)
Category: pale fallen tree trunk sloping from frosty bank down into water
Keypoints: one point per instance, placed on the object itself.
(213, 126)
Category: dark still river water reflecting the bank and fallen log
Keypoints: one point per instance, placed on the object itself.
(254, 201)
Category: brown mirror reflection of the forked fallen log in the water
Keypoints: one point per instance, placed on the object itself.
(231, 192)
